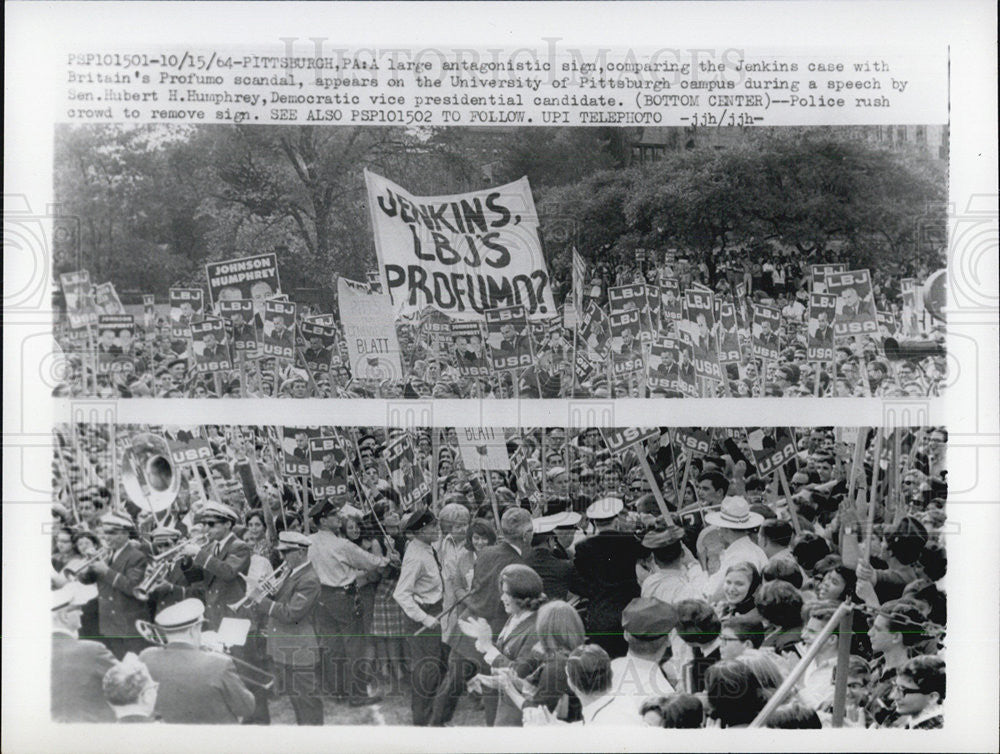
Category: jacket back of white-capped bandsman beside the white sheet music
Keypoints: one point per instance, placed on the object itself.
(197, 686)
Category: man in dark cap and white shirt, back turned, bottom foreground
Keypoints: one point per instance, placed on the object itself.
(638, 675)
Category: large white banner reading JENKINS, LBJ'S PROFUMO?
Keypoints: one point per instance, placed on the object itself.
(460, 254)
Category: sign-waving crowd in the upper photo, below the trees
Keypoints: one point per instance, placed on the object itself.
(569, 355)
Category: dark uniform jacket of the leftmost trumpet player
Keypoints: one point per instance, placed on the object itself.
(117, 607)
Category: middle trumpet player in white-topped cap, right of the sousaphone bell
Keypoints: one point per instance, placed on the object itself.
(224, 561)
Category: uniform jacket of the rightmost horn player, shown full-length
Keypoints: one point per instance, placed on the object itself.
(291, 635)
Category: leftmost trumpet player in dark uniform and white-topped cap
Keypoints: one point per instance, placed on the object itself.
(117, 607)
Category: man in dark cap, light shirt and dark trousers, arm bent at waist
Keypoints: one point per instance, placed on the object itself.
(420, 593)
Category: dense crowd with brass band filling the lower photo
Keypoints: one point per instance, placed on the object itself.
(578, 588)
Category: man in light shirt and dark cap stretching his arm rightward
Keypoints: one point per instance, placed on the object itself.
(338, 562)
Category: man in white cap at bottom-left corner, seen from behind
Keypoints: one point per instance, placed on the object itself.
(78, 665)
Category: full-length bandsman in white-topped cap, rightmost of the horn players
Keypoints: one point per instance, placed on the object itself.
(291, 636)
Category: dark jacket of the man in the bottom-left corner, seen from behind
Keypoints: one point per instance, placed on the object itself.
(78, 668)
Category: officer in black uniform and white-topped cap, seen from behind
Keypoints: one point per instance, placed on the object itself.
(605, 574)
